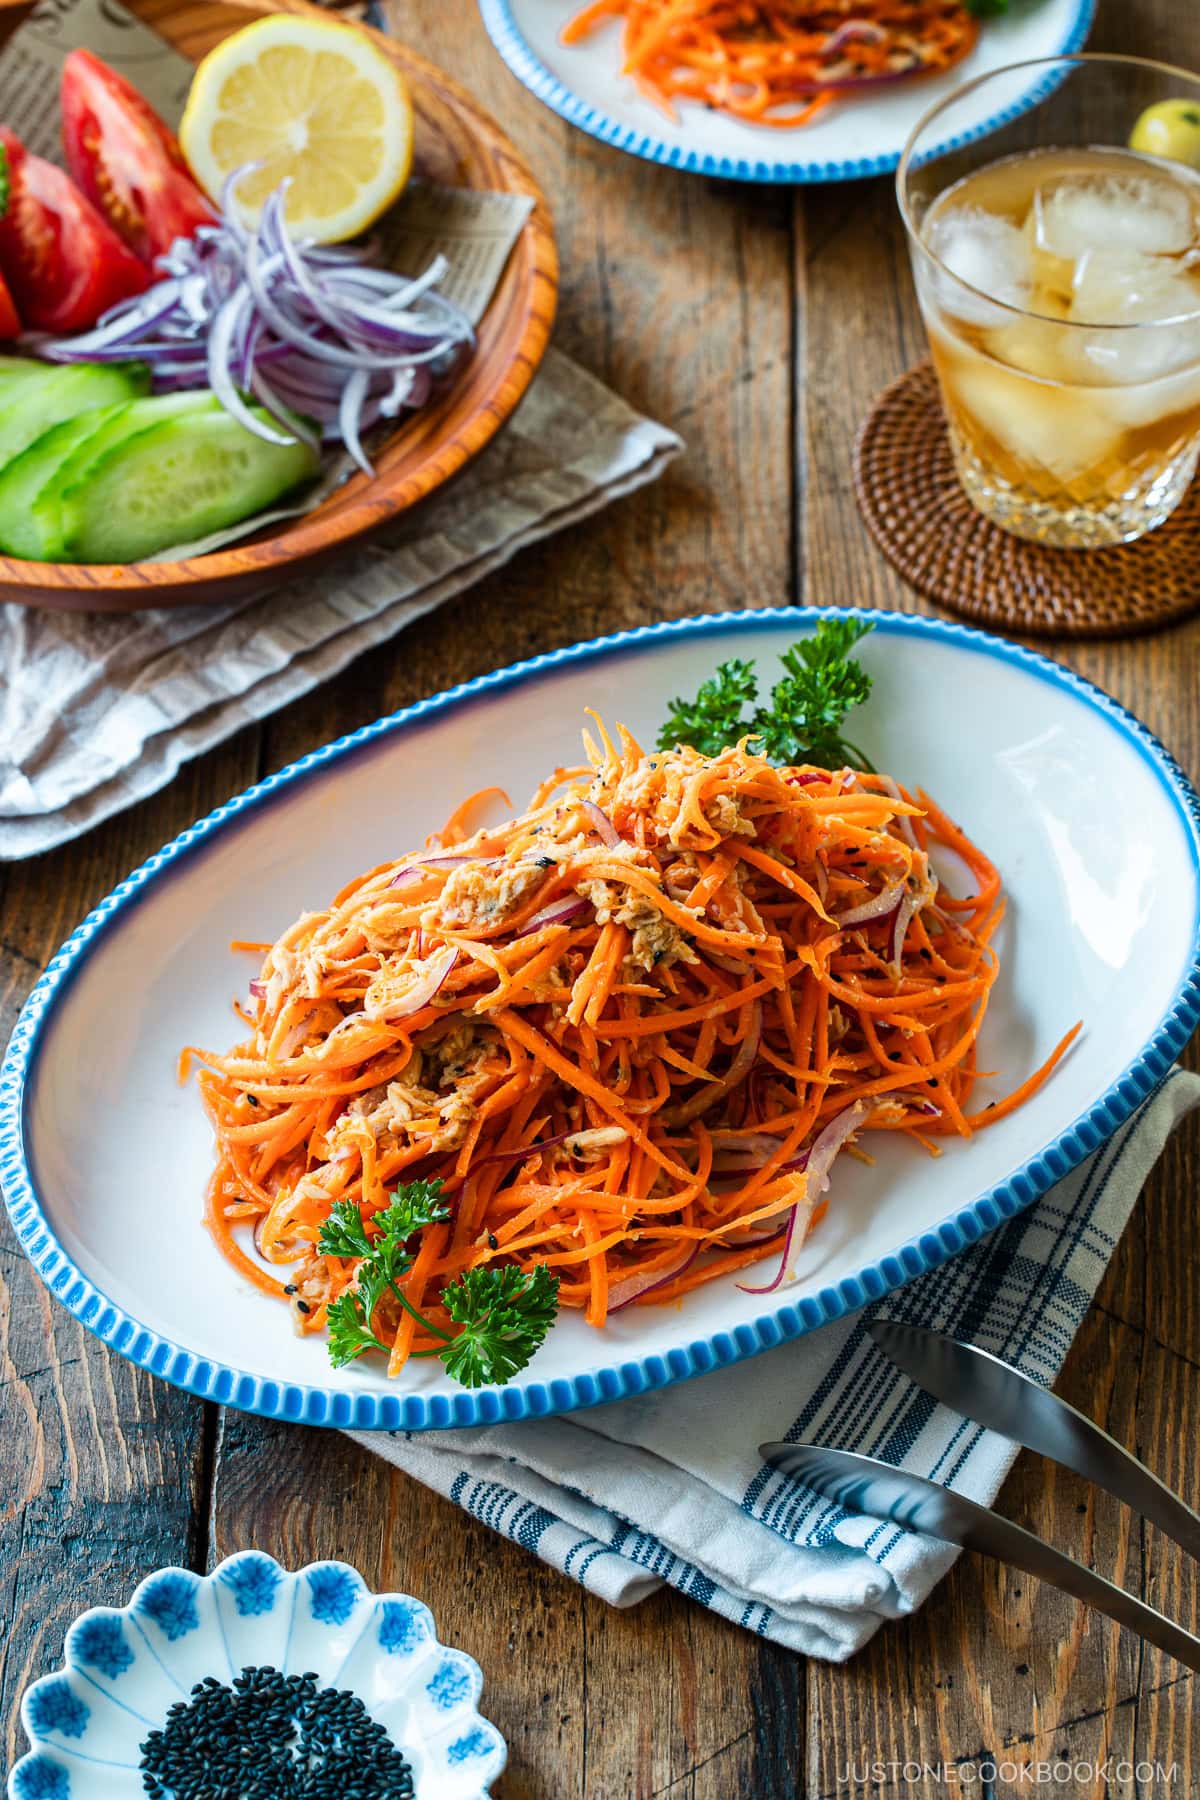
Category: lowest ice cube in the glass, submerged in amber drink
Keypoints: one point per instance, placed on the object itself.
(1050, 427)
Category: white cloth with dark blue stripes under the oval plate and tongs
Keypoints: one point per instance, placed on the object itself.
(670, 1489)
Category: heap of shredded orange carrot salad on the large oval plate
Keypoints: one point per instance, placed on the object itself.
(629, 1030)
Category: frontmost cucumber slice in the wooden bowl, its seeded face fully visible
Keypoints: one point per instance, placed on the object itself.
(179, 481)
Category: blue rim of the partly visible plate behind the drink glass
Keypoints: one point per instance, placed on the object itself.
(546, 85)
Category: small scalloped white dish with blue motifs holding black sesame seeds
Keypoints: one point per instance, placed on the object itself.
(375, 1660)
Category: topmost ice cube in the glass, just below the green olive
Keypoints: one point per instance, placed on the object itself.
(1115, 213)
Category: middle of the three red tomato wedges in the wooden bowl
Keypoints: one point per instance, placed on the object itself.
(62, 262)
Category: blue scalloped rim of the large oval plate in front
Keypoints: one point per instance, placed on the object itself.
(537, 1399)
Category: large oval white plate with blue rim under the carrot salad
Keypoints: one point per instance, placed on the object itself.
(105, 1158)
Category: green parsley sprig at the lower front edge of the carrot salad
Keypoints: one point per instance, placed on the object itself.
(503, 1313)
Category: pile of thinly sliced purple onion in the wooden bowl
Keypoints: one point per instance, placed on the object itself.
(346, 345)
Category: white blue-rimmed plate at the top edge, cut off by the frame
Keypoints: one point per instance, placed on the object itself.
(855, 138)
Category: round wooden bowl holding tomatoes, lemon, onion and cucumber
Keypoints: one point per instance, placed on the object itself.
(460, 145)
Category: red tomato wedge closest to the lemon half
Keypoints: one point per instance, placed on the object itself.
(127, 161)
